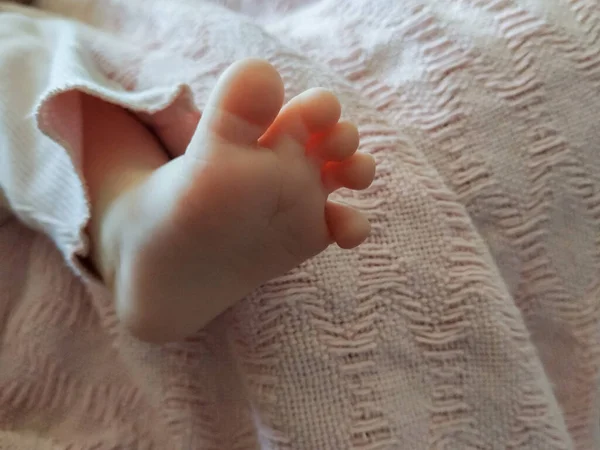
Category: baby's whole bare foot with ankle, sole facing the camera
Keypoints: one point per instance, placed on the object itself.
(181, 238)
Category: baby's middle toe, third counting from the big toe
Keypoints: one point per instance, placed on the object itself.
(339, 144)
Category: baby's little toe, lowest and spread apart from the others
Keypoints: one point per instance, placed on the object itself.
(348, 227)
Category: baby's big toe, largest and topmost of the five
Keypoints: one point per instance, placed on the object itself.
(244, 103)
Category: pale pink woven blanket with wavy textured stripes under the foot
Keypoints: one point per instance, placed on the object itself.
(470, 319)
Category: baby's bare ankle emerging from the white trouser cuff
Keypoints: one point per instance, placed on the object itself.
(119, 154)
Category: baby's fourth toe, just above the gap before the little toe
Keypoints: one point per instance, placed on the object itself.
(356, 172)
